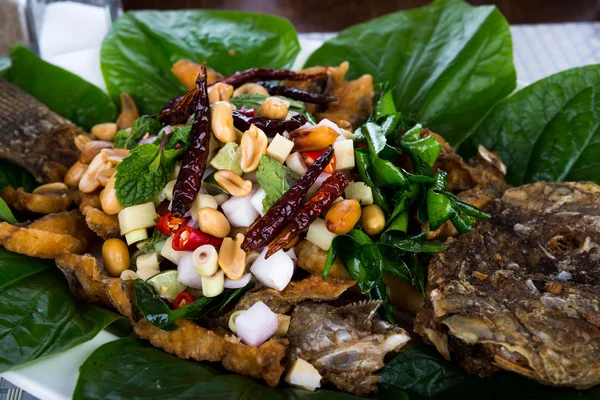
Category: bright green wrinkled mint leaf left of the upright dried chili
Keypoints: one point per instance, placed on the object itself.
(137, 179)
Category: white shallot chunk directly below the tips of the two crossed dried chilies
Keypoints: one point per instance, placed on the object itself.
(275, 272)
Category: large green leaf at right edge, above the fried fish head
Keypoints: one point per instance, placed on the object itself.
(549, 130)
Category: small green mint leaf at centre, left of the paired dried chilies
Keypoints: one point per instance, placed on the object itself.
(275, 179)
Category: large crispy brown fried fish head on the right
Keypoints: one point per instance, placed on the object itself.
(521, 291)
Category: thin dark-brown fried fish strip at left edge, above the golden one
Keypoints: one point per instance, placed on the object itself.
(39, 203)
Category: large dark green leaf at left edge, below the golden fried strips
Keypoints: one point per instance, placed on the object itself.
(38, 315)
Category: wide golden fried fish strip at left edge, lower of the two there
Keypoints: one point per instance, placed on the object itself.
(47, 237)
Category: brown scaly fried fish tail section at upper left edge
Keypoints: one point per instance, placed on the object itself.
(34, 137)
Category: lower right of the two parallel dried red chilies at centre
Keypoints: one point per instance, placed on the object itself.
(330, 190)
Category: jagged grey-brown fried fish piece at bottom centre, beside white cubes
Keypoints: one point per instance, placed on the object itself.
(346, 344)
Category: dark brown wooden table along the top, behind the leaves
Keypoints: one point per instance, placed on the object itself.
(335, 15)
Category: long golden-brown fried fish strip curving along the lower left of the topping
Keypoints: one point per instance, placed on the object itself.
(89, 282)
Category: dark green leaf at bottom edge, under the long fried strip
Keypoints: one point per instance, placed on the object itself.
(132, 369)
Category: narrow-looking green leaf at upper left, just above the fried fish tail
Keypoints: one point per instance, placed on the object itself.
(63, 92)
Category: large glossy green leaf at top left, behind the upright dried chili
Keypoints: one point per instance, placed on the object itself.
(141, 47)
